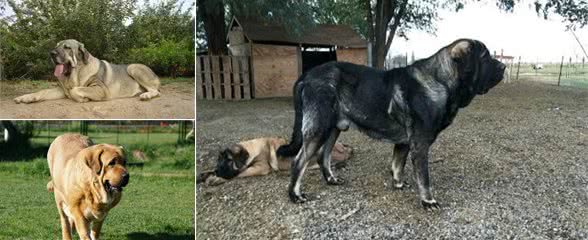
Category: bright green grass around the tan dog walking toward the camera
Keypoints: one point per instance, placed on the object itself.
(158, 203)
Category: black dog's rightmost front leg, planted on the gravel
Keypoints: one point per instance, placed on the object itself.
(419, 154)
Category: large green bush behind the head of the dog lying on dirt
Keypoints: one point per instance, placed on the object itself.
(38, 25)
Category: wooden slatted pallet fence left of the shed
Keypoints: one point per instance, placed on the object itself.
(223, 77)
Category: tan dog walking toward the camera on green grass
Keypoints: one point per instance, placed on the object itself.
(87, 181)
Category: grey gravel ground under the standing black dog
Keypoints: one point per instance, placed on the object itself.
(514, 165)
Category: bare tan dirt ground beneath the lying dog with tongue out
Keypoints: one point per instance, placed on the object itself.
(176, 102)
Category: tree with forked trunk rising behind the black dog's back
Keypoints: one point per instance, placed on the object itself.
(382, 20)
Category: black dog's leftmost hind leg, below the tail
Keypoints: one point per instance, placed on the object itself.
(308, 150)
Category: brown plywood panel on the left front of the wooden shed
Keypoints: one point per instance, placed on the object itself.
(275, 69)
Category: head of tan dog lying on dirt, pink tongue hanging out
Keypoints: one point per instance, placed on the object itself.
(68, 54)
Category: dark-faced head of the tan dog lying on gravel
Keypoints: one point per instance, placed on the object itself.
(231, 162)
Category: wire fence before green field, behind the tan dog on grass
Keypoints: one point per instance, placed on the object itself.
(114, 132)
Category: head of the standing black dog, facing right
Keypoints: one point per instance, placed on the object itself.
(476, 65)
